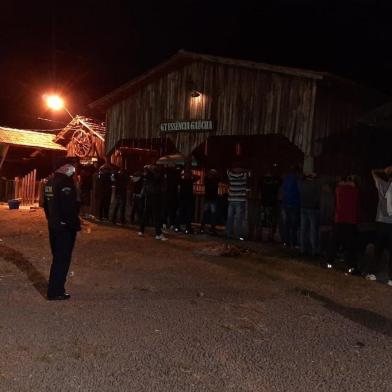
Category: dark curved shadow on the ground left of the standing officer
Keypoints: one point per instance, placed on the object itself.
(24, 265)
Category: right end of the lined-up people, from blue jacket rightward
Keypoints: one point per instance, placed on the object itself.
(322, 220)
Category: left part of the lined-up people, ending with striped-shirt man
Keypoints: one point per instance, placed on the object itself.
(164, 196)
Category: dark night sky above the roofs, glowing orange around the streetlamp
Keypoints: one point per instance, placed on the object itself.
(86, 48)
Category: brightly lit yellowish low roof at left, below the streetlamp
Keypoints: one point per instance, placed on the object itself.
(20, 137)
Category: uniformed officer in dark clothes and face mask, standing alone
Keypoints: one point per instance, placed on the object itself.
(62, 212)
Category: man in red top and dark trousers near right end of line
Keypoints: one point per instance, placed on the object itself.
(345, 227)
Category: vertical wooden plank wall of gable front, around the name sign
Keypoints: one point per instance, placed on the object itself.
(240, 101)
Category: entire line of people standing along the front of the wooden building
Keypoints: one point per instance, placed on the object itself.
(318, 218)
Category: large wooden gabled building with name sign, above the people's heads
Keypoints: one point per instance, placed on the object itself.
(226, 107)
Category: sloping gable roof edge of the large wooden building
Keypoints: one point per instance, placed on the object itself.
(183, 58)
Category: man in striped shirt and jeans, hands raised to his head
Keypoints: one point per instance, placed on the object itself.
(238, 188)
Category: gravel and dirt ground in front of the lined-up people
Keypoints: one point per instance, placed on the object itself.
(177, 316)
